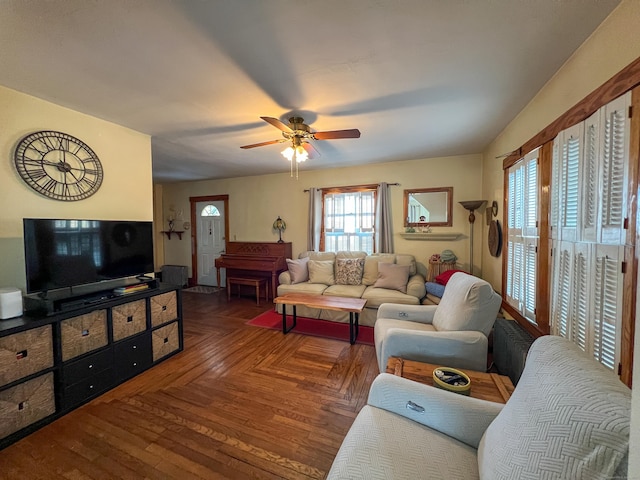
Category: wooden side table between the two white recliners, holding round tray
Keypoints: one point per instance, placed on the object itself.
(486, 386)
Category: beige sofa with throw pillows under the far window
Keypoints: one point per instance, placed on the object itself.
(353, 274)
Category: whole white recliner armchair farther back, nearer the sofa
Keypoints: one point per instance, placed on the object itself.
(453, 333)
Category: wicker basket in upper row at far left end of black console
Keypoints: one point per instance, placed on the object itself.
(25, 353)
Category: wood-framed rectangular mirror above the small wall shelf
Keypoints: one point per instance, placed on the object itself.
(428, 206)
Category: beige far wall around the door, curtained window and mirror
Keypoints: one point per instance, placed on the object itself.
(255, 202)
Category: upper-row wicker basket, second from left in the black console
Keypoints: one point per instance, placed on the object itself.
(83, 334)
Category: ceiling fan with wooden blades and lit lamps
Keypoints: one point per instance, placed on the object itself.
(298, 133)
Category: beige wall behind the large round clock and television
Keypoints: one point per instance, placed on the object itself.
(126, 191)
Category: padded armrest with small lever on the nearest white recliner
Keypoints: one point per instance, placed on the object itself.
(463, 418)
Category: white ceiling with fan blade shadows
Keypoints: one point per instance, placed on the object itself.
(418, 78)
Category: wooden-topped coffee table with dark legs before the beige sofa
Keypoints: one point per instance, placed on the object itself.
(327, 302)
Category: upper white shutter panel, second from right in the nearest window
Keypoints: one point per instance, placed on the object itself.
(591, 178)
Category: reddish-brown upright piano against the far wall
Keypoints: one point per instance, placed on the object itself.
(255, 259)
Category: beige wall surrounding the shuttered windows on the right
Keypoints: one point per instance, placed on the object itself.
(613, 46)
